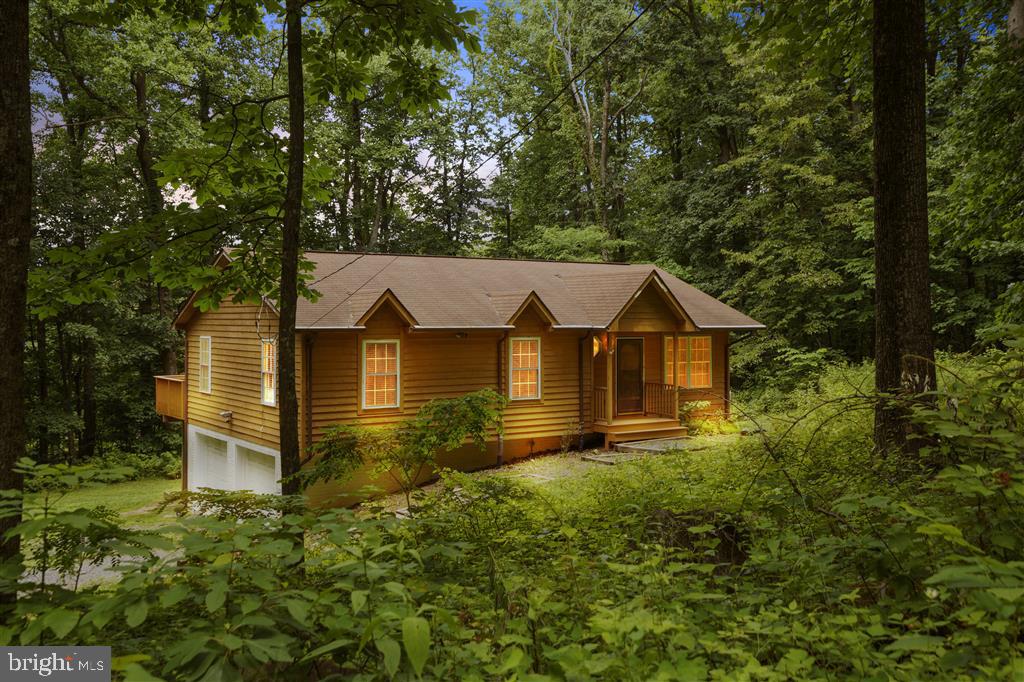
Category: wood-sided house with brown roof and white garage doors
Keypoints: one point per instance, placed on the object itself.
(598, 350)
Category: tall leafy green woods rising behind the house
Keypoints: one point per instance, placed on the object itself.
(731, 143)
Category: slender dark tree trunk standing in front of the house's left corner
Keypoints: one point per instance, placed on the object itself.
(290, 252)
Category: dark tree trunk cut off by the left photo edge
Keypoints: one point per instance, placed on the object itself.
(16, 236)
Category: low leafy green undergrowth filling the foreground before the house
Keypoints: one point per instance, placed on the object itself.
(793, 553)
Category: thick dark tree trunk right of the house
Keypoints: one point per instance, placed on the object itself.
(904, 353)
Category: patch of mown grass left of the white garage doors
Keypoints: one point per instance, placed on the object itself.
(135, 500)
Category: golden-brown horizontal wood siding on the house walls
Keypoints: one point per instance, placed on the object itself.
(434, 364)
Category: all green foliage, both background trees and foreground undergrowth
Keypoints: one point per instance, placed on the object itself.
(736, 154)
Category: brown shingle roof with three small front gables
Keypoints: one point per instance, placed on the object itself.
(467, 293)
